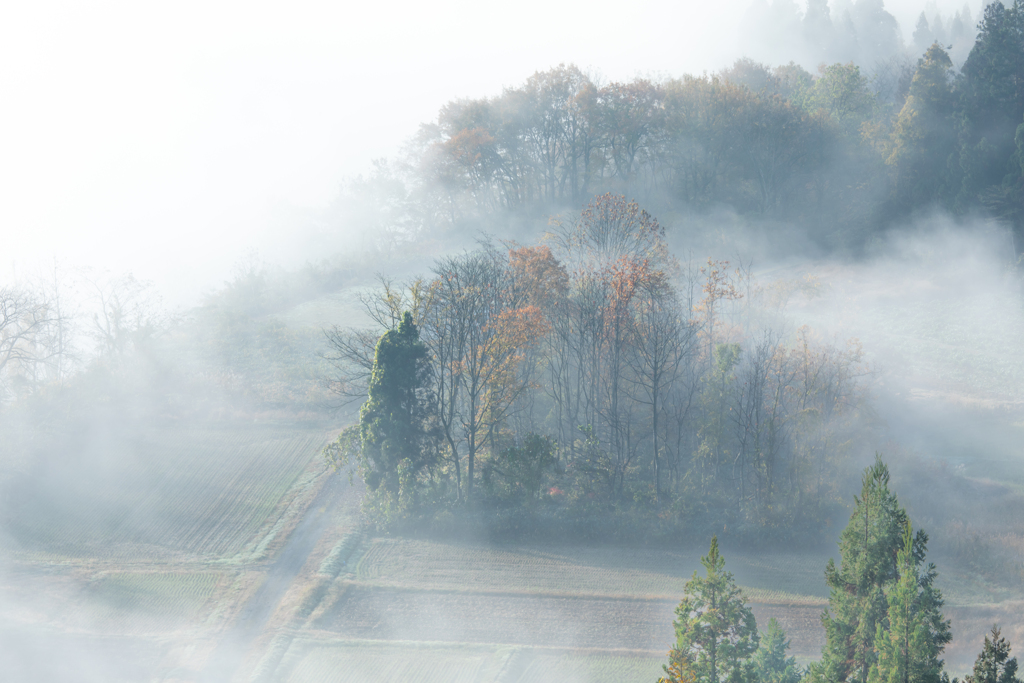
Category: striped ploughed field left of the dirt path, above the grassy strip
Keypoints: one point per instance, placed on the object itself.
(203, 495)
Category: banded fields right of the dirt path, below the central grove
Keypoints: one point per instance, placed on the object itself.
(586, 614)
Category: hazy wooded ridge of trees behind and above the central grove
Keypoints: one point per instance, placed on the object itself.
(842, 152)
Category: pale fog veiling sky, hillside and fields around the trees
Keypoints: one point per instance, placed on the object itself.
(195, 195)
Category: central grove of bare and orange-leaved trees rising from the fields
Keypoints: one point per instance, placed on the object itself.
(595, 374)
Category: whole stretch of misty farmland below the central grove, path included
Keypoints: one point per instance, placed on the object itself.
(204, 566)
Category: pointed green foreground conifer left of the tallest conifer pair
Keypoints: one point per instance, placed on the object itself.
(714, 627)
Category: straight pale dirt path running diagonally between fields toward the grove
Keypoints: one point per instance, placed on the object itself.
(280, 576)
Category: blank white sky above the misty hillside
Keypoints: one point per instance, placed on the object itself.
(170, 138)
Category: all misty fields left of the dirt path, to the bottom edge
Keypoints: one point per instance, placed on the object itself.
(139, 553)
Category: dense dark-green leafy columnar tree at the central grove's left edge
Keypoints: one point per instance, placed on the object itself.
(394, 422)
